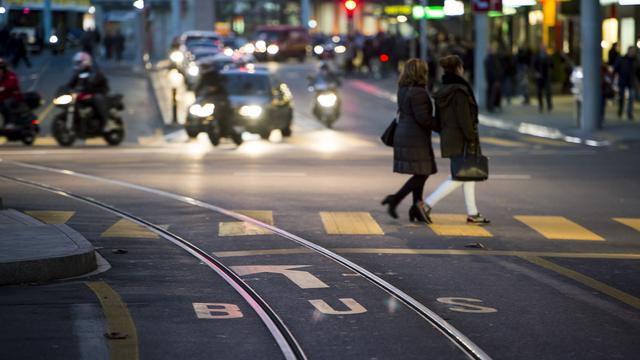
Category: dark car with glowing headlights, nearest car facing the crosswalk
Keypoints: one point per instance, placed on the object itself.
(260, 103)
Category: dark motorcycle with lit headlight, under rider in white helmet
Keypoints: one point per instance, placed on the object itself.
(78, 119)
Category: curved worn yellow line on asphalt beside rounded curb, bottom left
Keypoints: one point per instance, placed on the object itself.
(118, 321)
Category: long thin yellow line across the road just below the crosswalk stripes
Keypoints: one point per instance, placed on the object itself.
(385, 251)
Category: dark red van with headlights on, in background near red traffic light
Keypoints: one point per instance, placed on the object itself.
(280, 42)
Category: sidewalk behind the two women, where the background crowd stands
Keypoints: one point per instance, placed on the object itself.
(560, 124)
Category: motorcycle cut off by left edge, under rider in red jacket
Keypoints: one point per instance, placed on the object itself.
(26, 125)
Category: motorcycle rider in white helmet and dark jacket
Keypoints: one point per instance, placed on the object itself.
(89, 79)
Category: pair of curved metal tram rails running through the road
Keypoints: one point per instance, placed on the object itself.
(287, 342)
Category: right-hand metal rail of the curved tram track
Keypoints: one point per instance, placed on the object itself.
(459, 339)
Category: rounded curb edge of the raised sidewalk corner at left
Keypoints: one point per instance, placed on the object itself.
(41, 269)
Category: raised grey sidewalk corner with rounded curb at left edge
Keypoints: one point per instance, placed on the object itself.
(31, 251)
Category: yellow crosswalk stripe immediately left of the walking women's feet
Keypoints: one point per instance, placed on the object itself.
(350, 223)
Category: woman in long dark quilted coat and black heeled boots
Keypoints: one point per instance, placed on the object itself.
(412, 151)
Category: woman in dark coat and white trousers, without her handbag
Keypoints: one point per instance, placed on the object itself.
(458, 115)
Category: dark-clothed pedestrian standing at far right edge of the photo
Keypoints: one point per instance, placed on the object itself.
(626, 68)
